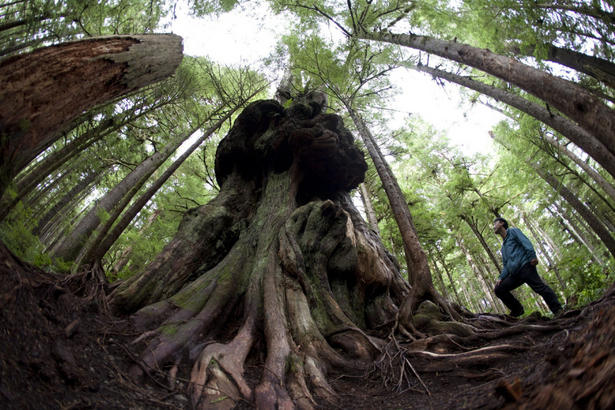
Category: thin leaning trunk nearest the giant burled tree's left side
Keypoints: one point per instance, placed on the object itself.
(106, 237)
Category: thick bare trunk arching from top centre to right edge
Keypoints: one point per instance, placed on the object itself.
(572, 100)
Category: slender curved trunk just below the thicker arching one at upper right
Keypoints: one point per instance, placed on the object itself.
(584, 140)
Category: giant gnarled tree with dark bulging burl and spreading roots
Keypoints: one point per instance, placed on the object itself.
(280, 259)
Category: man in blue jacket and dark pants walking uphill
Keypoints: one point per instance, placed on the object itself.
(520, 263)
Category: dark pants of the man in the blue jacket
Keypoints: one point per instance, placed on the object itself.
(527, 274)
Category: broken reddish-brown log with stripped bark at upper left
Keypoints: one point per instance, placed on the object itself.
(43, 91)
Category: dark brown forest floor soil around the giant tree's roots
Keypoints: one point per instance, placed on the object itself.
(59, 350)
